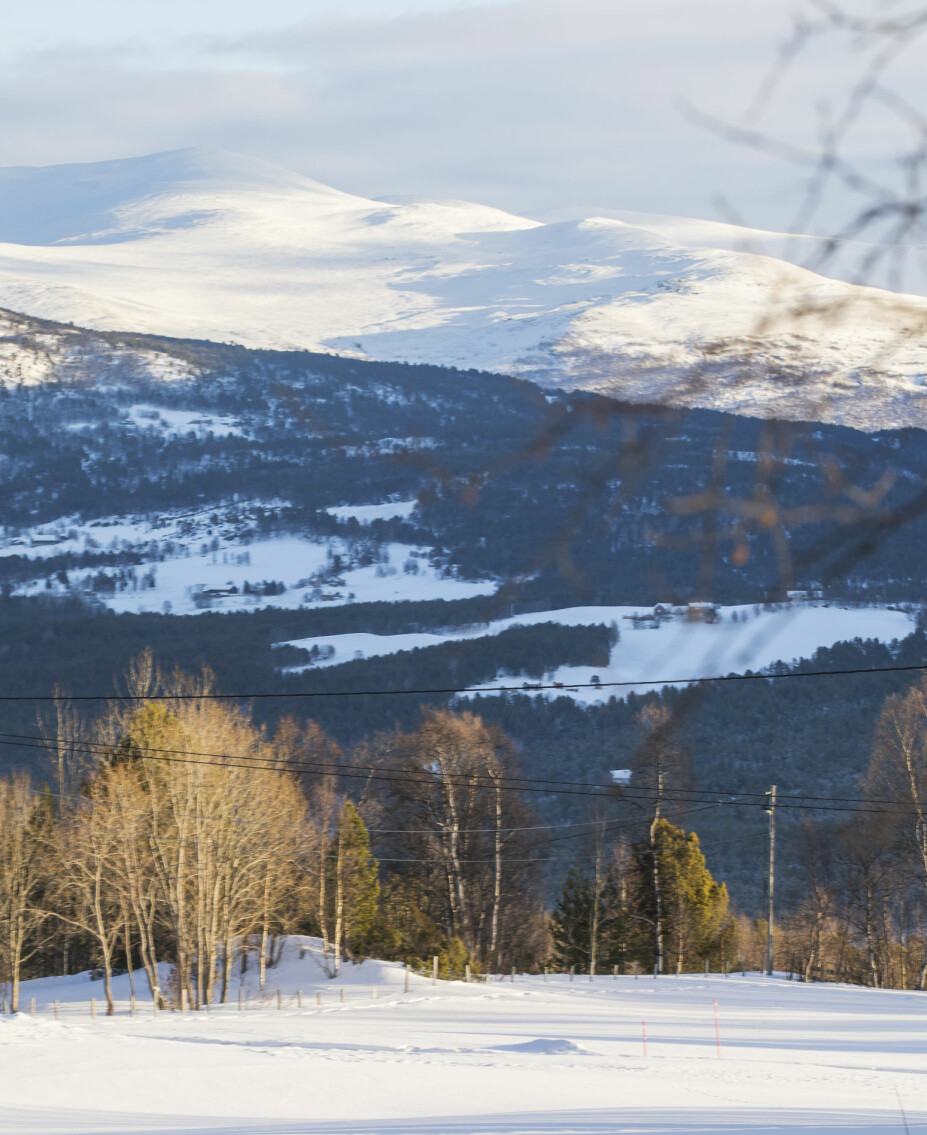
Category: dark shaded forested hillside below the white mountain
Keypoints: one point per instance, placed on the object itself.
(144, 461)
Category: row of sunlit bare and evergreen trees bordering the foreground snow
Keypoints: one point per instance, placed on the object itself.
(179, 838)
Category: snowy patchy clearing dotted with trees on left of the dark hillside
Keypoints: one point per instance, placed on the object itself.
(203, 560)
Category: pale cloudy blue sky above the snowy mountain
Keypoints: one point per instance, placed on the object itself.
(550, 108)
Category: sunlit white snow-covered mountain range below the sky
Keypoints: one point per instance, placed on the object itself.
(209, 245)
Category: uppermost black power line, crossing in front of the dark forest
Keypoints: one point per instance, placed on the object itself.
(525, 690)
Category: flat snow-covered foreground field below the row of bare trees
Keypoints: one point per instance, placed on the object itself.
(507, 1058)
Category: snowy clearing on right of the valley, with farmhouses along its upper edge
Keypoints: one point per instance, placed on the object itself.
(745, 638)
